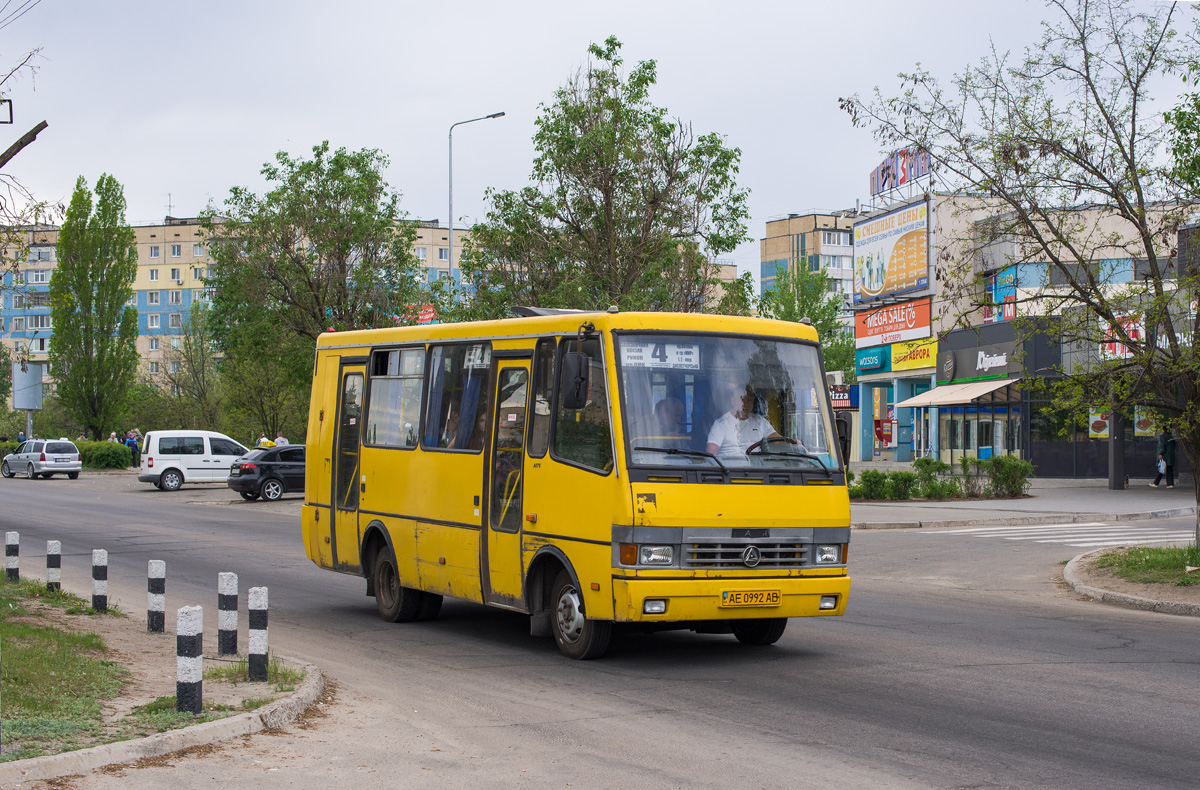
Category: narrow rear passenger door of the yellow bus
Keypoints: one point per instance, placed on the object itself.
(347, 474)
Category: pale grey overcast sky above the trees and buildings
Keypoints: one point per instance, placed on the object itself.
(182, 101)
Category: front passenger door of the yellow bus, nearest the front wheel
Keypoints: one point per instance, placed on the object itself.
(502, 565)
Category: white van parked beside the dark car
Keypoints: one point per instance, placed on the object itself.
(173, 458)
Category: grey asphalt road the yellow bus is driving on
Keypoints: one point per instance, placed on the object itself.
(961, 663)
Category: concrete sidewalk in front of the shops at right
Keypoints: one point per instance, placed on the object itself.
(1051, 501)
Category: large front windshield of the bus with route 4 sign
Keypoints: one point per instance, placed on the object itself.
(728, 402)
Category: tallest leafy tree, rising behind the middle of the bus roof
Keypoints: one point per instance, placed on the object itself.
(628, 207)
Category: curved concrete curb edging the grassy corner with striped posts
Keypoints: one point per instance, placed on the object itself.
(277, 715)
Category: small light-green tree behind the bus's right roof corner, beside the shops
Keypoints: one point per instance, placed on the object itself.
(805, 295)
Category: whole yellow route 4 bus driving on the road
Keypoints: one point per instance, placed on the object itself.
(657, 470)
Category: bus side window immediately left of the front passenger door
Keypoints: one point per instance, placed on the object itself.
(457, 412)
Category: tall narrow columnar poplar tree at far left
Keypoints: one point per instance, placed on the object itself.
(93, 350)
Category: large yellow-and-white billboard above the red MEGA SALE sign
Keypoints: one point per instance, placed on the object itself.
(891, 254)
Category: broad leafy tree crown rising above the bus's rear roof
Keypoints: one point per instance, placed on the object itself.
(328, 247)
